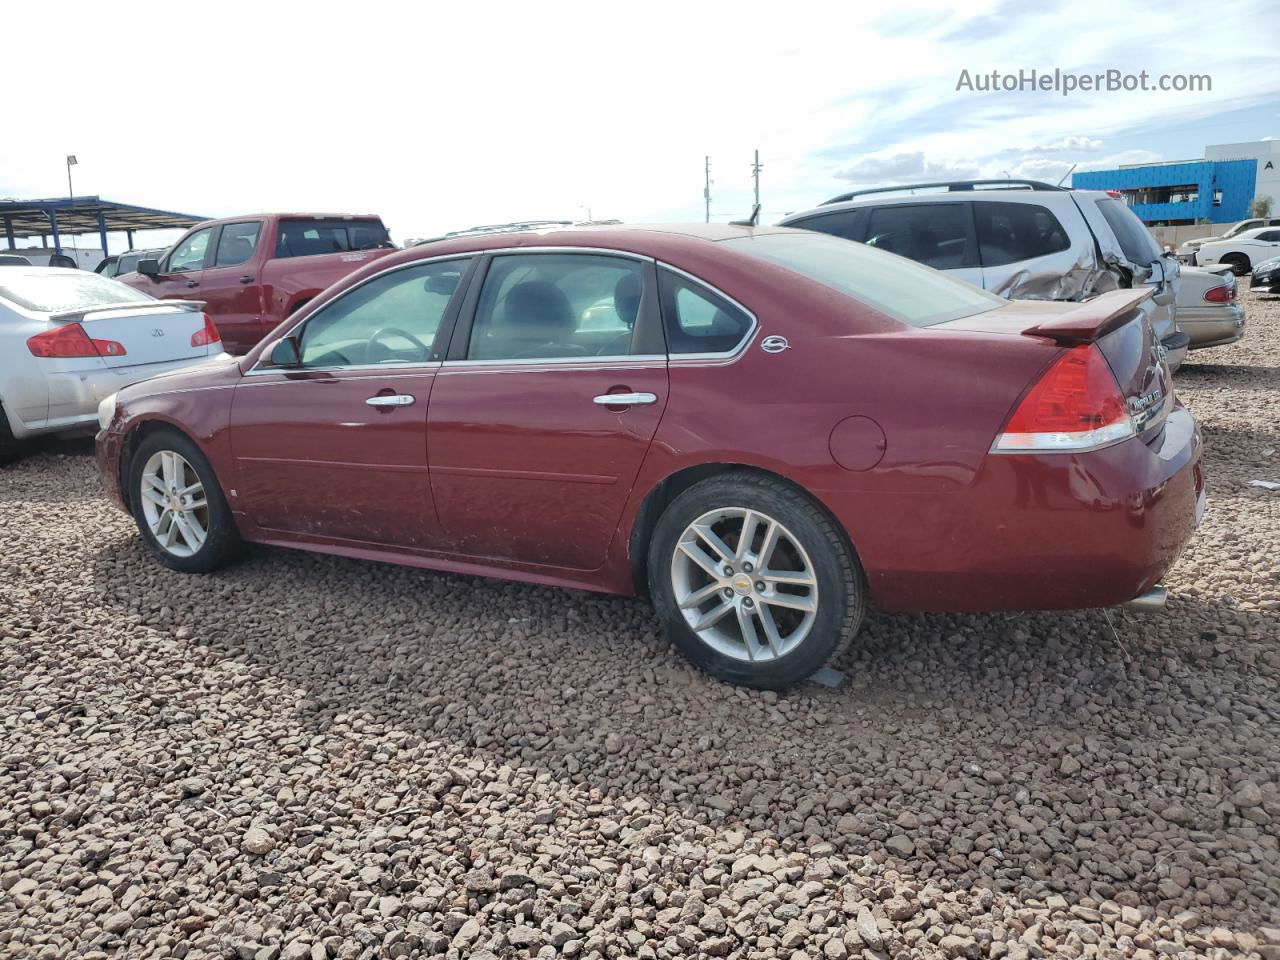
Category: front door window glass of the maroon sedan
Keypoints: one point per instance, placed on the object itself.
(391, 319)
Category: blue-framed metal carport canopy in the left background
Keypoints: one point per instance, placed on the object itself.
(79, 216)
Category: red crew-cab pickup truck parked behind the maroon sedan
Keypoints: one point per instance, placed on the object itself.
(254, 272)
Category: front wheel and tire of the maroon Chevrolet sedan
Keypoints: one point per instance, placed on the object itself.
(179, 506)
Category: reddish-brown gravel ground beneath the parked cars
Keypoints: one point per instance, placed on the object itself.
(309, 758)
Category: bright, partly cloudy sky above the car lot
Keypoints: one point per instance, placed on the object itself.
(441, 117)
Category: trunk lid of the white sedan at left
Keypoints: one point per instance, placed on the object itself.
(150, 333)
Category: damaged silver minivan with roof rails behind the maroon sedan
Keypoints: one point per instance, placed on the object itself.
(1023, 240)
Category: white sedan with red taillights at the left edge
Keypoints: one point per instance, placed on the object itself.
(70, 340)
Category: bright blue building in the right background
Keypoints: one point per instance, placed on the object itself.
(1185, 193)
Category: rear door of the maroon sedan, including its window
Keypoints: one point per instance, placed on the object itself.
(531, 461)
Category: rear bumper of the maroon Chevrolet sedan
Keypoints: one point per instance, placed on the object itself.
(1044, 532)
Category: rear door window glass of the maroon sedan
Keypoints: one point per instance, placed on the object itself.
(551, 307)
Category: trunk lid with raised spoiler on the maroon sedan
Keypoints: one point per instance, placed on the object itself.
(1118, 323)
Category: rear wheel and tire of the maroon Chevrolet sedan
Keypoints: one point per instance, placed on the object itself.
(755, 583)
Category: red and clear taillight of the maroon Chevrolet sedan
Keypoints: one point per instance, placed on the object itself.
(1076, 406)
